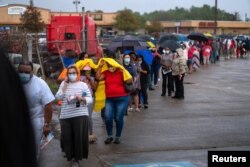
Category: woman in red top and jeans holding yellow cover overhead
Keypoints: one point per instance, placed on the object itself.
(117, 98)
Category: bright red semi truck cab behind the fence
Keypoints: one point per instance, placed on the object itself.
(76, 33)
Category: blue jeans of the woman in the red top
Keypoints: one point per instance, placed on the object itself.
(115, 109)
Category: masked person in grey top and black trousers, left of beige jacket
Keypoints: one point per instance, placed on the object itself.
(167, 78)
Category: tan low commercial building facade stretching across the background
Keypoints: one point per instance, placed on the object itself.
(10, 17)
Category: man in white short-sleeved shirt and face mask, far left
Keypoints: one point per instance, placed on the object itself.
(39, 97)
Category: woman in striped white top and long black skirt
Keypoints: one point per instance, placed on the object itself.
(75, 96)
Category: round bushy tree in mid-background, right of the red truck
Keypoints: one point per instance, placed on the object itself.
(127, 21)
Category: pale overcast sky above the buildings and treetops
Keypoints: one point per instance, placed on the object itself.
(241, 6)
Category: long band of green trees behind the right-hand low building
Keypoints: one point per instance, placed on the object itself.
(205, 12)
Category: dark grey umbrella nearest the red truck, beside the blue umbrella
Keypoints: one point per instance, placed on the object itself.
(127, 41)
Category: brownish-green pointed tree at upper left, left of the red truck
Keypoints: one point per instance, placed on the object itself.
(31, 19)
